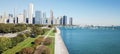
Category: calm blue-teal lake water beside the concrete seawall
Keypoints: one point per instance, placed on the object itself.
(91, 41)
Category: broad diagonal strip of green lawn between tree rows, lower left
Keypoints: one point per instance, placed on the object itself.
(21, 45)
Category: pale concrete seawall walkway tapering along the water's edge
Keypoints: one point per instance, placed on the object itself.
(60, 47)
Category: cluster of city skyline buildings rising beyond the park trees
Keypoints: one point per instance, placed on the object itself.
(40, 18)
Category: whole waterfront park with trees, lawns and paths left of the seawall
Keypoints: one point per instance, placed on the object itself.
(27, 39)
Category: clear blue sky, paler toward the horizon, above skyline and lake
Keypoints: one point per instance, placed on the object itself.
(96, 12)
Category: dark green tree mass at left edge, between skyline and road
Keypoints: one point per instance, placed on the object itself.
(8, 28)
